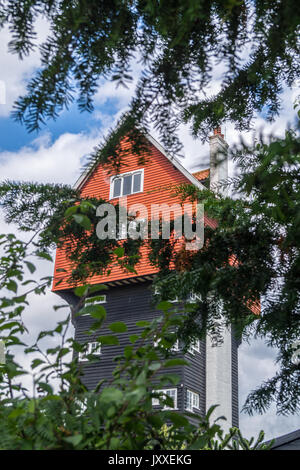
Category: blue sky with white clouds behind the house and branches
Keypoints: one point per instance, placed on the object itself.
(56, 155)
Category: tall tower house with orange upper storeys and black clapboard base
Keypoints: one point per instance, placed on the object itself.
(212, 376)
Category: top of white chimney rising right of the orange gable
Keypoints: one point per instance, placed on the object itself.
(218, 161)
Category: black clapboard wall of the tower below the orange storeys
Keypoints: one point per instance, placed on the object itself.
(130, 304)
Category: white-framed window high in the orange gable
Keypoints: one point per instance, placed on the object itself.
(126, 184)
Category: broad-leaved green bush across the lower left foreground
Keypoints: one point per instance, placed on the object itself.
(59, 412)
